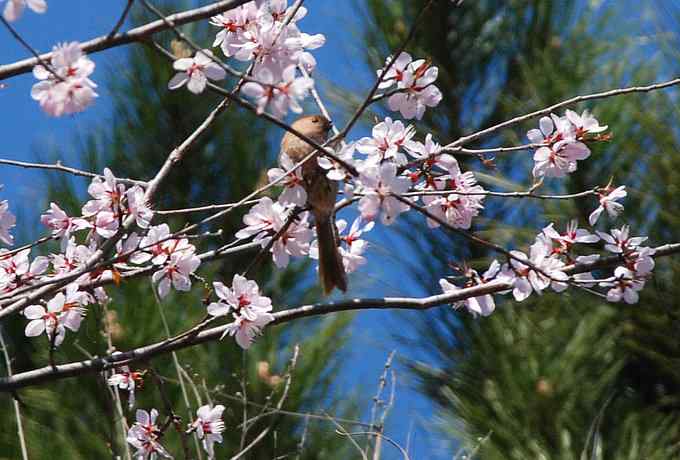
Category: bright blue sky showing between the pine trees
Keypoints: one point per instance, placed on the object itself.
(28, 133)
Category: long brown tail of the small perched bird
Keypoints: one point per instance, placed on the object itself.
(331, 269)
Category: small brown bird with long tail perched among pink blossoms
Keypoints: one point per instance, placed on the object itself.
(321, 194)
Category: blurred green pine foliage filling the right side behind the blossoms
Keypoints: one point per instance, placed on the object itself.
(557, 377)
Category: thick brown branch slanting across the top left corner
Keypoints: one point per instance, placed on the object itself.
(137, 34)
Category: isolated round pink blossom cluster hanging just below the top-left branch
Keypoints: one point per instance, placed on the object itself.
(65, 87)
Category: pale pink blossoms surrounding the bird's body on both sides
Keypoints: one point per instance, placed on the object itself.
(390, 163)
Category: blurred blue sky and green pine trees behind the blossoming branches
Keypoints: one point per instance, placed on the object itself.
(555, 377)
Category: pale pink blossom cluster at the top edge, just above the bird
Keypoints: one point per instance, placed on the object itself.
(264, 33)
